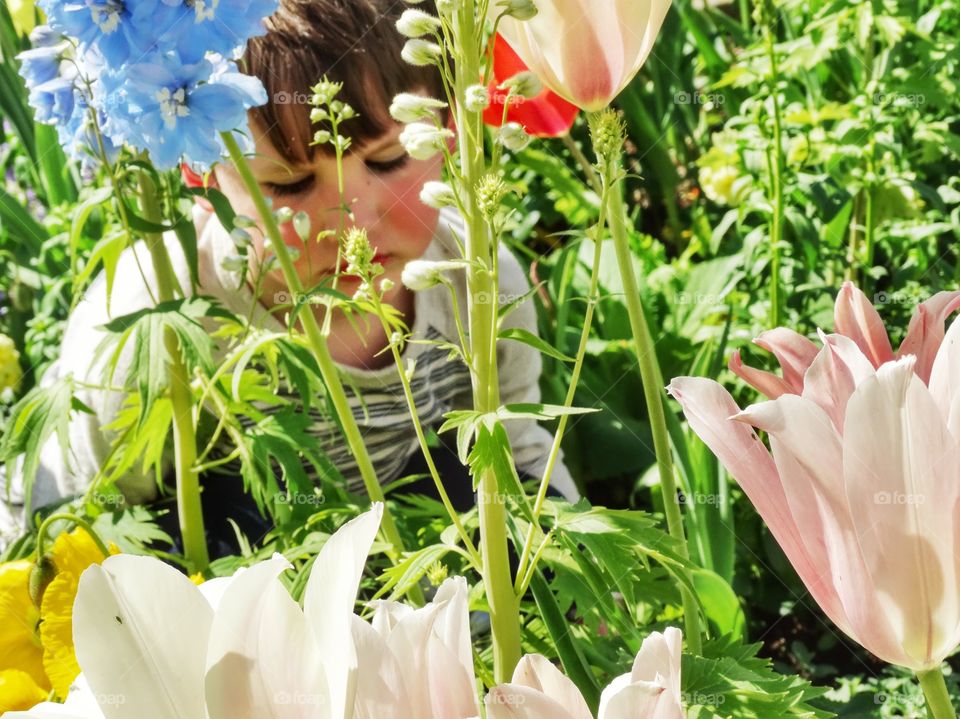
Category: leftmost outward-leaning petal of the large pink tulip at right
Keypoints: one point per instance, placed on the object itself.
(708, 408)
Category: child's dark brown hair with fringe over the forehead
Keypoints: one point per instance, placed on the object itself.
(350, 41)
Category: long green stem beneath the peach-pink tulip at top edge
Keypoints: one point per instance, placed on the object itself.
(653, 393)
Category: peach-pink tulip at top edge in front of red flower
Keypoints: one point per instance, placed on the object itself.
(587, 51)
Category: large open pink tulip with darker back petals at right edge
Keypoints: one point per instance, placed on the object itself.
(861, 490)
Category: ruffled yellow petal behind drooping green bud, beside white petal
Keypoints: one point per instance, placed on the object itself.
(72, 553)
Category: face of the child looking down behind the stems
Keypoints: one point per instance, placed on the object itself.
(381, 186)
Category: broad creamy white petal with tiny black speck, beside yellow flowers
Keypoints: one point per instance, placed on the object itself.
(140, 629)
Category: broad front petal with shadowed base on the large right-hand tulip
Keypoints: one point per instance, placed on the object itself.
(902, 472)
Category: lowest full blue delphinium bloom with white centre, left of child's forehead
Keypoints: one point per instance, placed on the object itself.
(175, 110)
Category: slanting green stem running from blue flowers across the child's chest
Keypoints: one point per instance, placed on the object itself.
(321, 352)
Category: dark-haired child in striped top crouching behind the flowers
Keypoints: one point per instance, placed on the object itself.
(353, 42)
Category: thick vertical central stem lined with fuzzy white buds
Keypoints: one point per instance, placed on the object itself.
(483, 309)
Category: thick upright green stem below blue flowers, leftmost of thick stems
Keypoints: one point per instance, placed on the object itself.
(189, 507)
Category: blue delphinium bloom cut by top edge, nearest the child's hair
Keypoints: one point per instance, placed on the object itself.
(218, 26)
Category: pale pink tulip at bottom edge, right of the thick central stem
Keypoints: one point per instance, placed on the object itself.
(650, 691)
